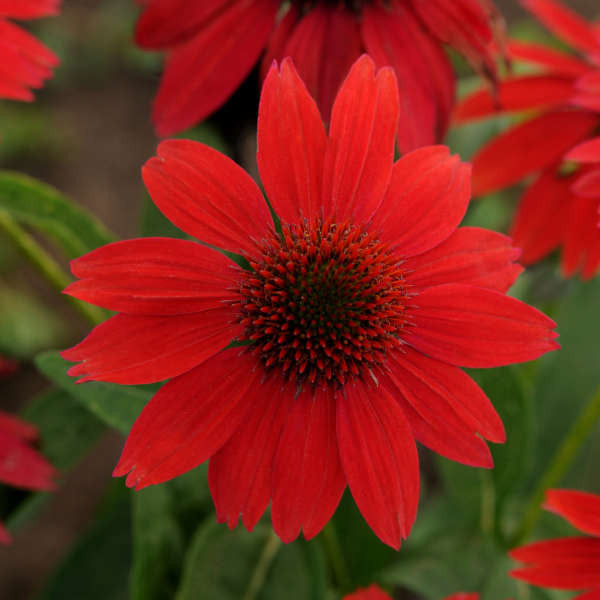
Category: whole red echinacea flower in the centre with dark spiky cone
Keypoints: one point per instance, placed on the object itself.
(356, 311)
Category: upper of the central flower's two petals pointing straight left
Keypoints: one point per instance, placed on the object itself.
(154, 276)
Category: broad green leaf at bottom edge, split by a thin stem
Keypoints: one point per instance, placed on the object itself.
(221, 564)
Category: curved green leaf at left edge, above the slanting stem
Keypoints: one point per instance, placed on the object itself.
(44, 208)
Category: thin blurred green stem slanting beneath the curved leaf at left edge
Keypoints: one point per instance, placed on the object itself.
(46, 265)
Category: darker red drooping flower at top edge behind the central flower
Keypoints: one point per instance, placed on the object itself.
(212, 45)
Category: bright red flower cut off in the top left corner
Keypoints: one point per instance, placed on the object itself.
(25, 63)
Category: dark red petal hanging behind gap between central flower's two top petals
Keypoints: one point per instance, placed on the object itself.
(324, 46)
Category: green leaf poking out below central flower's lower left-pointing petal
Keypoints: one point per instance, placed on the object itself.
(117, 406)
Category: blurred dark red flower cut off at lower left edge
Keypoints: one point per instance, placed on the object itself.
(20, 464)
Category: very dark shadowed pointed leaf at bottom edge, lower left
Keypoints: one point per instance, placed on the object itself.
(98, 566)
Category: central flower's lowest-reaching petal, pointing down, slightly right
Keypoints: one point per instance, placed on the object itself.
(379, 459)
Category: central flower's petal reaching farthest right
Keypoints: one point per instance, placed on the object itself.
(473, 327)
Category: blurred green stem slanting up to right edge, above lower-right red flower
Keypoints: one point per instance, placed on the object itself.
(559, 464)
